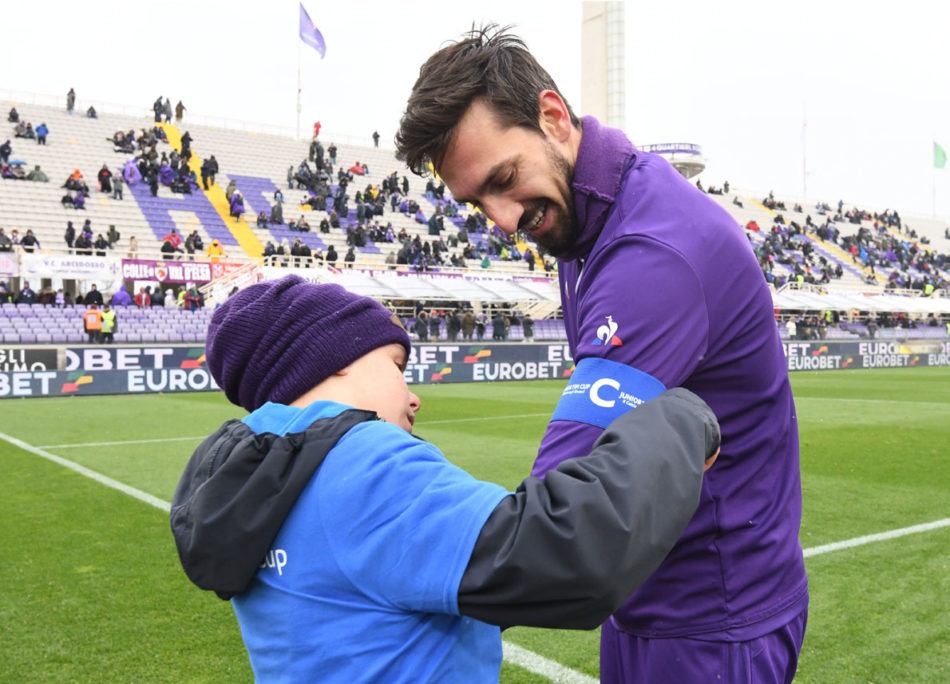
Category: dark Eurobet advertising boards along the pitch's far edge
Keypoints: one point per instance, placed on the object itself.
(140, 370)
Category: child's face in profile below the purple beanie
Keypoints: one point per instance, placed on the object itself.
(379, 375)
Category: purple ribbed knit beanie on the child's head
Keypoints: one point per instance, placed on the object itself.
(274, 341)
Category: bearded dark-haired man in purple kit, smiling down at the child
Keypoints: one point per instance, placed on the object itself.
(659, 289)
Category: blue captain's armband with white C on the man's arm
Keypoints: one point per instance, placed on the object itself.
(600, 391)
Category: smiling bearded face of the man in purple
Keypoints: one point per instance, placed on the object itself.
(520, 178)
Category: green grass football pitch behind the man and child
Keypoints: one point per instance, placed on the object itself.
(92, 589)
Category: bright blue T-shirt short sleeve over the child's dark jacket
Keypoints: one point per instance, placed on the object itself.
(407, 536)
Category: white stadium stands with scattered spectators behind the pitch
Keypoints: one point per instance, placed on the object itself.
(870, 269)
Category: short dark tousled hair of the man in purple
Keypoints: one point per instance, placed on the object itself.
(487, 63)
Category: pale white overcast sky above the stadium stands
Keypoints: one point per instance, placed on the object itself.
(872, 79)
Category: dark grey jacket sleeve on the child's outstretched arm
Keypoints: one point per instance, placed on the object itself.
(568, 550)
